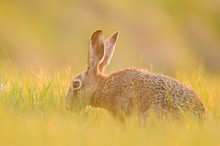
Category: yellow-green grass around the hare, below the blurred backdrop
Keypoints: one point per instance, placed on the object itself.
(32, 112)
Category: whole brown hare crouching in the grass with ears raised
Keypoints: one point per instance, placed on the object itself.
(131, 90)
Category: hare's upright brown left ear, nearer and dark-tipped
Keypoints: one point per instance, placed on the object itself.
(96, 51)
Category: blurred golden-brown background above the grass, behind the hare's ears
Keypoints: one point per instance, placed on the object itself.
(165, 34)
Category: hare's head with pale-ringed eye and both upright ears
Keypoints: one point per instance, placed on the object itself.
(85, 84)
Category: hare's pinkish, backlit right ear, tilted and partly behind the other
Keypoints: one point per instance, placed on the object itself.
(109, 50)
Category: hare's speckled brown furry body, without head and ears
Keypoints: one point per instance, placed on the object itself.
(133, 90)
